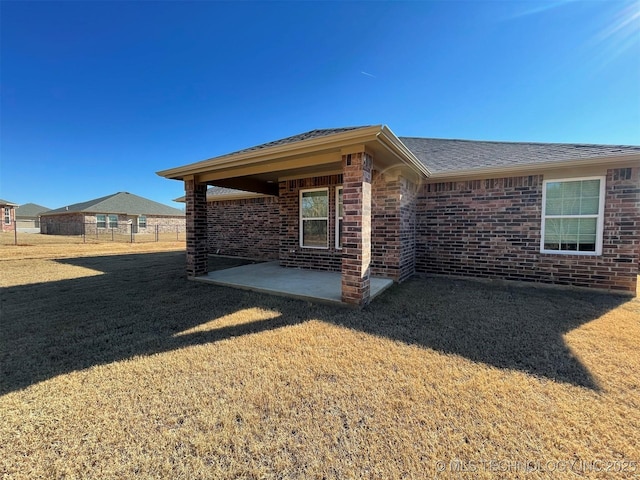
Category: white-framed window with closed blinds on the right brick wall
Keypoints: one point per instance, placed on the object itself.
(573, 216)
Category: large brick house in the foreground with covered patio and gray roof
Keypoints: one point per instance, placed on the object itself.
(365, 202)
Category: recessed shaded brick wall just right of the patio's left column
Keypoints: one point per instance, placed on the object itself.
(244, 228)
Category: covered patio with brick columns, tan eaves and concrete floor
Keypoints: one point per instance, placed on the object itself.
(341, 164)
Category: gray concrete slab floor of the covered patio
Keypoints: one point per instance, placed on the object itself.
(270, 277)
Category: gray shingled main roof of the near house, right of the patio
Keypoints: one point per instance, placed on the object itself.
(441, 155)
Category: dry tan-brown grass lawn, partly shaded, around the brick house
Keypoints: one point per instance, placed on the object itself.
(115, 366)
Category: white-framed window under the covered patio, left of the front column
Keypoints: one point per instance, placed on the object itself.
(314, 218)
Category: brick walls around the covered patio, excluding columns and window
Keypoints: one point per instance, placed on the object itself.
(269, 228)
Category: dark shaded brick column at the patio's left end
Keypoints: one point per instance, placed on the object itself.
(196, 196)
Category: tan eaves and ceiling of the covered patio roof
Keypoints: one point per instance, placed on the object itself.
(260, 169)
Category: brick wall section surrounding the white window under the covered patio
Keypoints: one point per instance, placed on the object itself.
(291, 254)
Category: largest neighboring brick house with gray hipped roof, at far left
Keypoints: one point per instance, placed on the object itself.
(120, 212)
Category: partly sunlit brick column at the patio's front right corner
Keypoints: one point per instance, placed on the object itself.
(356, 233)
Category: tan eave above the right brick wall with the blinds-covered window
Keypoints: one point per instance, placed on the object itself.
(506, 170)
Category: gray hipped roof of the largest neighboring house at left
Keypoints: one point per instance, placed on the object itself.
(121, 202)
